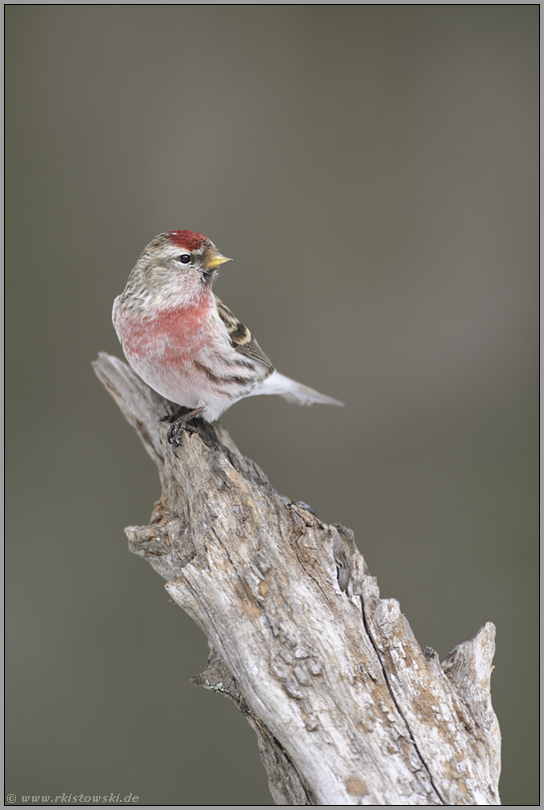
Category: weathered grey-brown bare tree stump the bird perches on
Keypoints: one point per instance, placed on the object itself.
(347, 708)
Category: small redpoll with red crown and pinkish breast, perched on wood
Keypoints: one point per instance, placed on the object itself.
(185, 343)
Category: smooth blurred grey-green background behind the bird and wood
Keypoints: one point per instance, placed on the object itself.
(373, 172)
